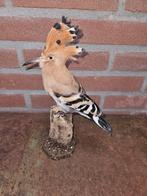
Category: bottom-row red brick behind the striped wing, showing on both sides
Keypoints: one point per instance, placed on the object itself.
(45, 101)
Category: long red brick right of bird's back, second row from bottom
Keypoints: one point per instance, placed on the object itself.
(112, 83)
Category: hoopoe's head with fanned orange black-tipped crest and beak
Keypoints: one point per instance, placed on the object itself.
(58, 48)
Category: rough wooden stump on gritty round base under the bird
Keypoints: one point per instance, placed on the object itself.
(60, 143)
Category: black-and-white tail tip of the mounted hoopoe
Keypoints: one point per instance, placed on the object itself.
(99, 120)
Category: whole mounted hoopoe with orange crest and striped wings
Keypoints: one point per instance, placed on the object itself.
(58, 81)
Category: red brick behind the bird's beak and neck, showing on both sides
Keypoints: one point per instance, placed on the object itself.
(93, 61)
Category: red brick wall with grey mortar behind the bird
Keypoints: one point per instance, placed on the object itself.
(115, 35)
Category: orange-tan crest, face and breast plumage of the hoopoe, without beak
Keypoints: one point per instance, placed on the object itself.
(56, 76)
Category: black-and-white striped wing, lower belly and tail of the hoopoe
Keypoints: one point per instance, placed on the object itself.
(82, 104)
